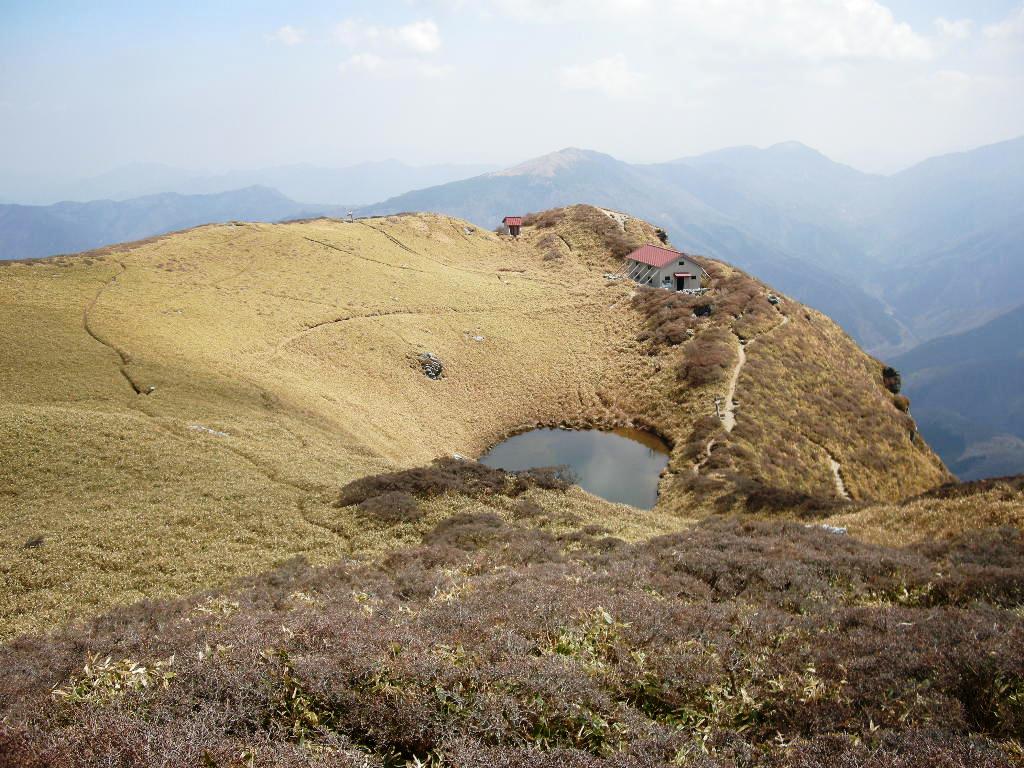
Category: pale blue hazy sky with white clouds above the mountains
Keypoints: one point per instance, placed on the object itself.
(879, 84)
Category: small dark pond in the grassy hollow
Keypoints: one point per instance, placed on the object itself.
(622, 466)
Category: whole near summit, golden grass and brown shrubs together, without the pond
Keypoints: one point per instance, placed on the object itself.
(180, 414)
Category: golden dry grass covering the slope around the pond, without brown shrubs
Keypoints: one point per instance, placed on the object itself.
(280, 362)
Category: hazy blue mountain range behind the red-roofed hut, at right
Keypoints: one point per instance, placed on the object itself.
(895, 260)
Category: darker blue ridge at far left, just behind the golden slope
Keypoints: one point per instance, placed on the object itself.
(31, 232)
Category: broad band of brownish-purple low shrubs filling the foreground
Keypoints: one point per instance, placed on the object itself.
(737, 644)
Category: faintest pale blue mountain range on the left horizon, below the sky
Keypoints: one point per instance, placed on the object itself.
(350, 186)
